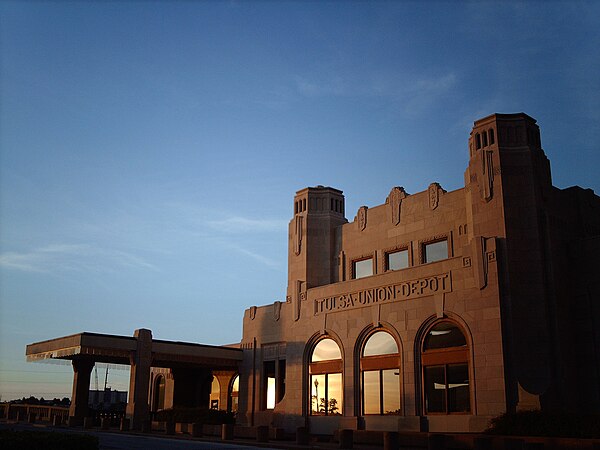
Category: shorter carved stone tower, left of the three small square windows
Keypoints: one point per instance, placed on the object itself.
(313, 249)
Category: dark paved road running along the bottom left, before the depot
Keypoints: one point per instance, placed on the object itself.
(122, 441)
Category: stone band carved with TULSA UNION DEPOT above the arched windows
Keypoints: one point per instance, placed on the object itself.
(406, 290)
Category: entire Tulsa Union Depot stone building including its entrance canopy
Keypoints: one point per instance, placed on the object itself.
(436, 310)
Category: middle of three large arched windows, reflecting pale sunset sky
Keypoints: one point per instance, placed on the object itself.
(380, 375)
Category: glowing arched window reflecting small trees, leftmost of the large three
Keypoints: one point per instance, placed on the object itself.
(326, 378)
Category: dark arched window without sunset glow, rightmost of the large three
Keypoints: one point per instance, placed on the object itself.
(445, 361)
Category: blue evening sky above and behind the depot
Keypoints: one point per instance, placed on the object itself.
(150, 151)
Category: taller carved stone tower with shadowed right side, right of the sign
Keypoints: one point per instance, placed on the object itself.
(509, 178)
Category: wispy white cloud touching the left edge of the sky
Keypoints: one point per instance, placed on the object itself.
(72, 257)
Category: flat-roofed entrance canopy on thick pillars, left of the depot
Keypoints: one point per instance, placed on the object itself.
(141, 352)
